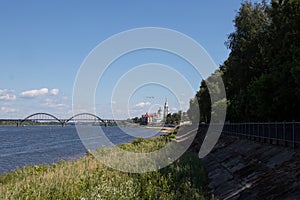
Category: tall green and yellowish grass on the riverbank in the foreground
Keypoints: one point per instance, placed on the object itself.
(87, 178)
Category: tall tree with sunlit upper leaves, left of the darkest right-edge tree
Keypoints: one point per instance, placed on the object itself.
(246, 61)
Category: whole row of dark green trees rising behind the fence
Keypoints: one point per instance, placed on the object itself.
(262, 73)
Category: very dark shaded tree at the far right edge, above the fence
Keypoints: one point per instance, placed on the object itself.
(275, 94)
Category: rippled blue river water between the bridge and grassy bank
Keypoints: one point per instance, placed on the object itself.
(31, 145)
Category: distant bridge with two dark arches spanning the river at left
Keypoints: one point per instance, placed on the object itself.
(47, 118)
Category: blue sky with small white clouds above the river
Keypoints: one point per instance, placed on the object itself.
(43, 44)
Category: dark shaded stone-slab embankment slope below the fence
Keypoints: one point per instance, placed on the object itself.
(243, 169)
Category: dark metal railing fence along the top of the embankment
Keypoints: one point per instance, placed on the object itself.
(273, 132)
